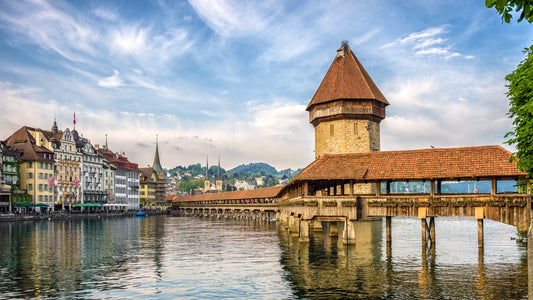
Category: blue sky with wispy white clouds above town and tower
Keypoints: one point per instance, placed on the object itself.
(232, 78)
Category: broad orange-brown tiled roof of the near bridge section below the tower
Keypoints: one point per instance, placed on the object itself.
(465, 163)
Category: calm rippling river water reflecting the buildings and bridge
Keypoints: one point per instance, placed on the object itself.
(179, 257)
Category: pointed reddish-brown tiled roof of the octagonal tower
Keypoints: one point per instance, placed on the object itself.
(346, 79)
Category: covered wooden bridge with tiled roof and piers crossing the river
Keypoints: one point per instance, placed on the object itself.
(343, 188)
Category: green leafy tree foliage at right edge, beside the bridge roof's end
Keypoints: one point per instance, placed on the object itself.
(520, 95)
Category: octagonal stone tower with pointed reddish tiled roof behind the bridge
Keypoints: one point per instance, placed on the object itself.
(347, 108)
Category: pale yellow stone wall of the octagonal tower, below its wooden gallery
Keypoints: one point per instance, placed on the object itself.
(346, 136)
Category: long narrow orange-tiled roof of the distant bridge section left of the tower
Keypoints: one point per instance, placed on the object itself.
(270, 192)
